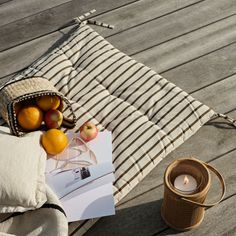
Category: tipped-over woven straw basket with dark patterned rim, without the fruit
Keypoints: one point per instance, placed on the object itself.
(16, 91)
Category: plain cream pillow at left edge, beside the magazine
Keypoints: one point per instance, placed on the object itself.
(22, 167)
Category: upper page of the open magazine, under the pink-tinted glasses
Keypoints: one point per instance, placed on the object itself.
(78, 165)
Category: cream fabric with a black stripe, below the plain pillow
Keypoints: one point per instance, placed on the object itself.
(48, 220)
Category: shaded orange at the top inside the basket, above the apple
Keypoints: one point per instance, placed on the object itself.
(48, 102)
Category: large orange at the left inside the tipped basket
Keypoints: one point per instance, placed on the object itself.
(30, 117)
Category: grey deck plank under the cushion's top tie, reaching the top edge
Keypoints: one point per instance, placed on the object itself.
(140, 13)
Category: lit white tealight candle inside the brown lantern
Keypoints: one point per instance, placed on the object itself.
(185, 183)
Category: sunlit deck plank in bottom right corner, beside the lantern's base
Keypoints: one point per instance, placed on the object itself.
(219, 220)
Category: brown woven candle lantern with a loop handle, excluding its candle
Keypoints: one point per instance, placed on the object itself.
(182, 211)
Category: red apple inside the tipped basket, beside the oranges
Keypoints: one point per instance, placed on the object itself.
(53, 119)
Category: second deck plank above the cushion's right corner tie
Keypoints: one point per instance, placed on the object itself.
(204, 70)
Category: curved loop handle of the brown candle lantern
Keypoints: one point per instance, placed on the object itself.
(220, 177)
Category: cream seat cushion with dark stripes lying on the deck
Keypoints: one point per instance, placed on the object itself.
(149, 117)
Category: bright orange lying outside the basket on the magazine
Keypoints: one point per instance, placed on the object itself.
(54, 141)
